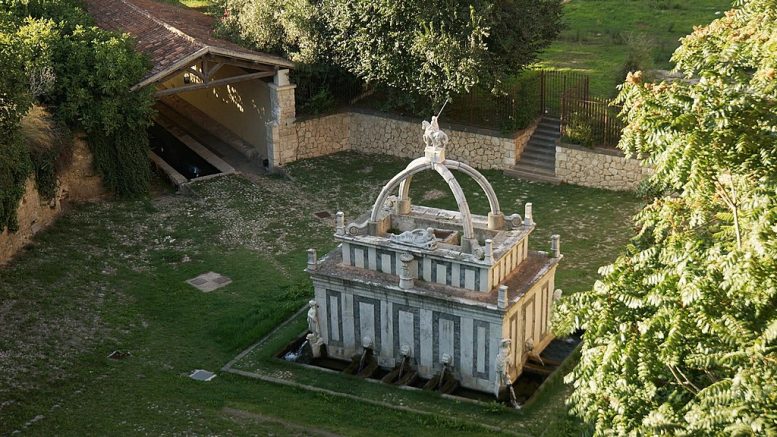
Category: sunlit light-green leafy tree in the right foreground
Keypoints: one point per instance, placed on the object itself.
(680, 331)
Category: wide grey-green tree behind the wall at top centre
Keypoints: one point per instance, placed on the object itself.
(434, 48)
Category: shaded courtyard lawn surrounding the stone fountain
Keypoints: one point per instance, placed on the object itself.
(110, 276)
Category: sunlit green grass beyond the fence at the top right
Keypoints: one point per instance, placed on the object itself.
(593, 42)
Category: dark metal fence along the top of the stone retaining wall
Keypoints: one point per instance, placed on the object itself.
(565, 95)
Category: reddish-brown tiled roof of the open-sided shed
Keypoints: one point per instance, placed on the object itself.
(171, 36)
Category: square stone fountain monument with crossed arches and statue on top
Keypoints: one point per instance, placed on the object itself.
(453, 292)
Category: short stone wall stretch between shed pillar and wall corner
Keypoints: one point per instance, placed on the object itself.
(322, 135)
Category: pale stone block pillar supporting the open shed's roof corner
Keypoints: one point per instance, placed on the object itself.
(281, 137)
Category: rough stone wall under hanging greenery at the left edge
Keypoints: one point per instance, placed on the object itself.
(78, 182)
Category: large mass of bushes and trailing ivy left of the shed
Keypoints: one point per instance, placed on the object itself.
(51, 53)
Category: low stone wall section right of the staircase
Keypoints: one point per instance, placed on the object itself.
(598, 168)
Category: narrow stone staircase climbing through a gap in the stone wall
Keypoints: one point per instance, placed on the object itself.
(538, 160)
